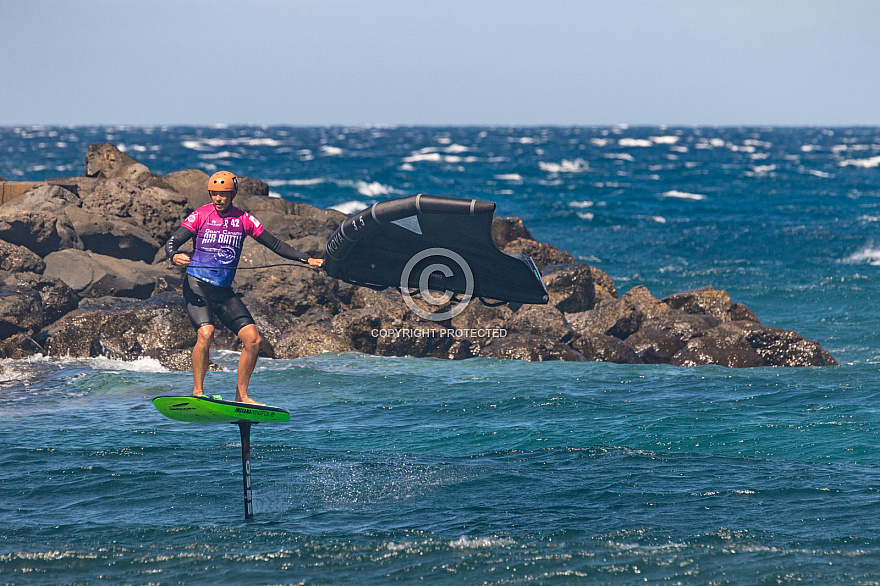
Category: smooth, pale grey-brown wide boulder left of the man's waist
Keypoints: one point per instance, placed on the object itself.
(96, 275)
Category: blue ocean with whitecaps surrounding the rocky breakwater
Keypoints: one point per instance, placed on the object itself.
(485, 471)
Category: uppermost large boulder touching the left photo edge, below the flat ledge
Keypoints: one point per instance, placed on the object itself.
(40, 232)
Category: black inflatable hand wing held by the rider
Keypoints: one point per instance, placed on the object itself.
(423, 242)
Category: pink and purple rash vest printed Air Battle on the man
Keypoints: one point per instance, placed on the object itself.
(218, 242)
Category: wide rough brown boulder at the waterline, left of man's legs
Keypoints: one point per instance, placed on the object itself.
(122, 328)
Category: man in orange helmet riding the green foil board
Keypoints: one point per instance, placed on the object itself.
(219, 229)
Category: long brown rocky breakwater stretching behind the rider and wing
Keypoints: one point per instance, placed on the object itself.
(82, 273)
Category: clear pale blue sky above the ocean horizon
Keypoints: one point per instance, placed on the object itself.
(440, 62)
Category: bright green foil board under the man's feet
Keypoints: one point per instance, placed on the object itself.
(207, 410)
